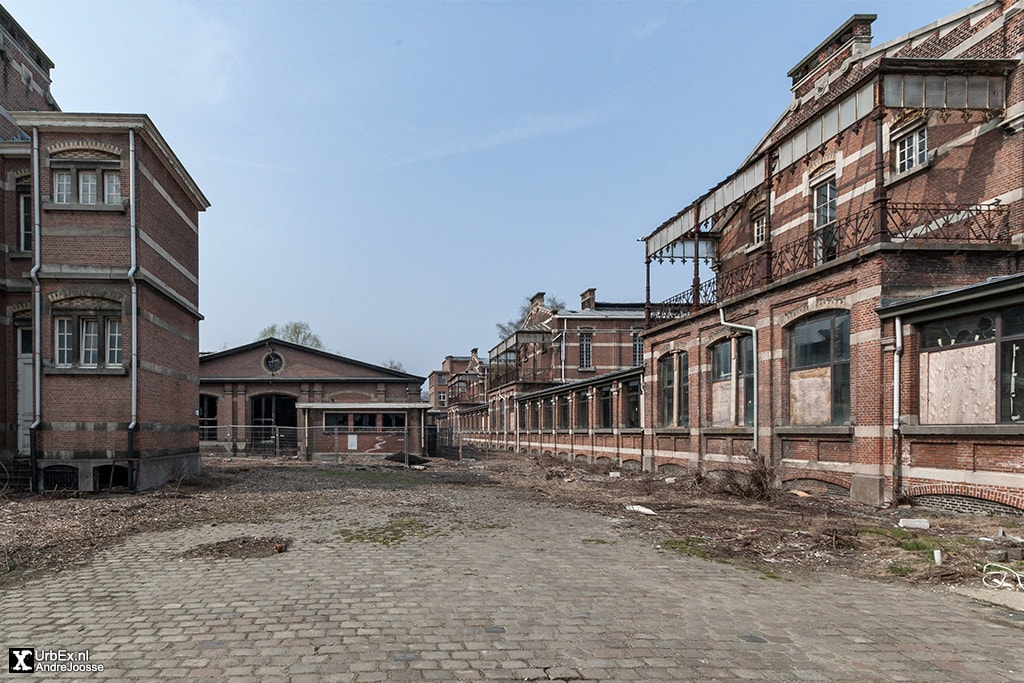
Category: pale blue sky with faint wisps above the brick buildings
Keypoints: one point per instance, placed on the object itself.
(403, 176)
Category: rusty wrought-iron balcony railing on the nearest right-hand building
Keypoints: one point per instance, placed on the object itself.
(917, 224)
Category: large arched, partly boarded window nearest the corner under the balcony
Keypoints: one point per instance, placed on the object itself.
(820, 370)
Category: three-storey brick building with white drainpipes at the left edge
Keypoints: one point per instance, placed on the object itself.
(100, 292)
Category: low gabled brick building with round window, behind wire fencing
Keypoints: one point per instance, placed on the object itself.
(277, 398)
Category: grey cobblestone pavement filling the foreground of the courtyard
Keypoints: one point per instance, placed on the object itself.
(475, 584)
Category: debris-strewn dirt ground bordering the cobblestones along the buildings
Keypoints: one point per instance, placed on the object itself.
(789, 536)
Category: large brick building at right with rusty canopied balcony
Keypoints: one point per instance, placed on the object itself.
(864, 324)
